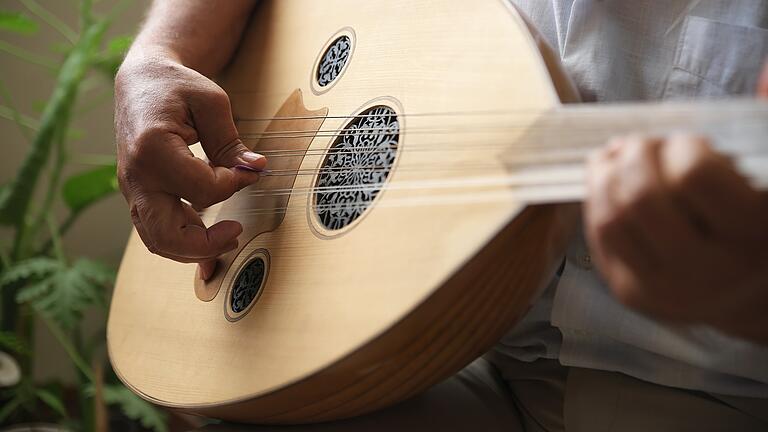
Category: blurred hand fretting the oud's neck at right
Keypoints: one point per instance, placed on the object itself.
(679, 234)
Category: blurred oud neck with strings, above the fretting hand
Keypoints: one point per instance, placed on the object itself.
(558, 142)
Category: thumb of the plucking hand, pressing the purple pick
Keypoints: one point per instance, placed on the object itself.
(212, 116)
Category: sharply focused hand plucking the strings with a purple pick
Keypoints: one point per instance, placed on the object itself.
(163, 107)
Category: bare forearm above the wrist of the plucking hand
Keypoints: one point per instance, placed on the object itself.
(200, 34)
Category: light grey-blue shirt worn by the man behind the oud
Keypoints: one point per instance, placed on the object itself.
(619, 50)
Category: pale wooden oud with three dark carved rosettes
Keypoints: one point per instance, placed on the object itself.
(392, 240)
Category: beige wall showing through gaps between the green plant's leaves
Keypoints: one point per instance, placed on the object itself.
(103, 229)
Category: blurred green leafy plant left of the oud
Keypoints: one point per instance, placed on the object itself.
(39, 283)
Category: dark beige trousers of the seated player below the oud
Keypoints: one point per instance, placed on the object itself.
(498, 393)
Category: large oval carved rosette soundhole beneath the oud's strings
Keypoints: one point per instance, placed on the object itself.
(356, 167)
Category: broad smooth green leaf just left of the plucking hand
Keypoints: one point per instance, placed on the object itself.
(86, 188)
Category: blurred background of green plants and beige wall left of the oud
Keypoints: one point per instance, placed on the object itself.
(63, 227)
